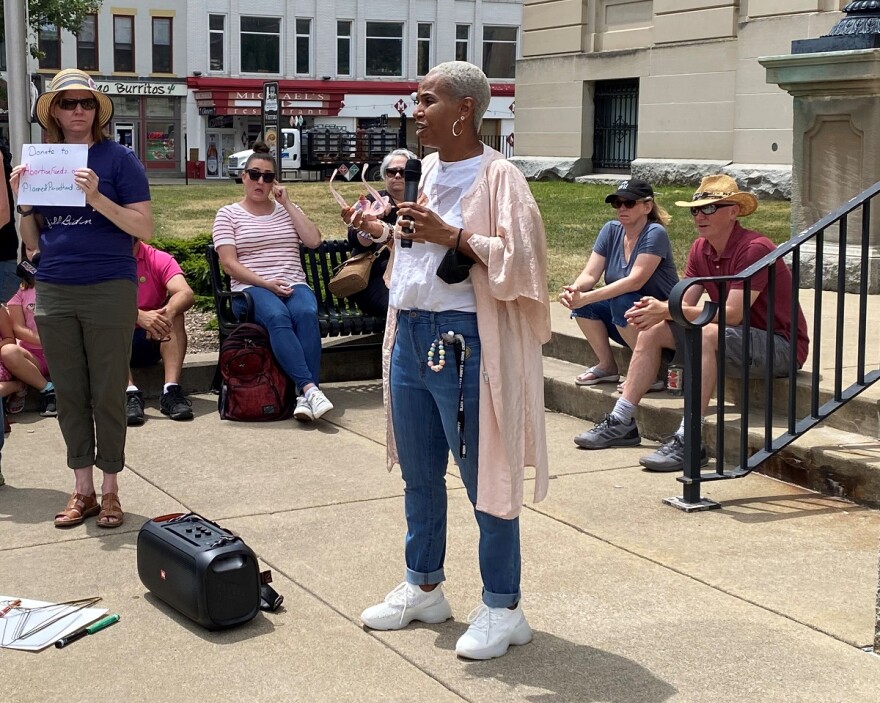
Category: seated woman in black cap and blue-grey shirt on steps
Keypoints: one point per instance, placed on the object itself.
(634, 256)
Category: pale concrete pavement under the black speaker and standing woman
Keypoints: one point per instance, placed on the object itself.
(768, 599)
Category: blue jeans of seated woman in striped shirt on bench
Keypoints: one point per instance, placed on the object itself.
(292, 324)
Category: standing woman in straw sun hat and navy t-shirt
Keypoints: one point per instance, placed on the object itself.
(87, 289)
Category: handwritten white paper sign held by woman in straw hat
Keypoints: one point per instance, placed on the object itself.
(48, 179)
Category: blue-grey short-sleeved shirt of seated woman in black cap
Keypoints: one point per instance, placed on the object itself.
(652, 240)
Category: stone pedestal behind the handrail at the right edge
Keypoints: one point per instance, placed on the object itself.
(836, 151)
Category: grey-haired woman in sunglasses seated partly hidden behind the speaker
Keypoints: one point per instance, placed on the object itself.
(370, 235)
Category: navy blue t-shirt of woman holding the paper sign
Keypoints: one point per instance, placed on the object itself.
(78, 245)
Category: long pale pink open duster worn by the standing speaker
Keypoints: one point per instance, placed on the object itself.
(513, 318)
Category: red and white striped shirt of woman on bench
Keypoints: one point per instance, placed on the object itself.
(268, 245)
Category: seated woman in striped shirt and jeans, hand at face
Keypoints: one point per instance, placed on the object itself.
(258, 242)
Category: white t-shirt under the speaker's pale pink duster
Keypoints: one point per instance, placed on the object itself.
(414, 281)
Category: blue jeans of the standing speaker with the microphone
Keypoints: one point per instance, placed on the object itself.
(425, 413)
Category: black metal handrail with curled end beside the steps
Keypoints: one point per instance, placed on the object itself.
(796, 426)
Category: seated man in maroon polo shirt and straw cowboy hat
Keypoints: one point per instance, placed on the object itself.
(723, 247)
